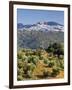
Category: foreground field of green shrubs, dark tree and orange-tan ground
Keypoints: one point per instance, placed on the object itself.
(35, 64)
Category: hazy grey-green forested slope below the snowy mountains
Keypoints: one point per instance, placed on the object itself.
(38, 39)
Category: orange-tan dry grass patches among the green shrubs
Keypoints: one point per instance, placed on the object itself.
(41, 66)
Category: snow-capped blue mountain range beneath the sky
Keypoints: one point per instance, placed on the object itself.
(42, 26)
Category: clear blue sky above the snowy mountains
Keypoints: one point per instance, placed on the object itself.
(30, 16)
